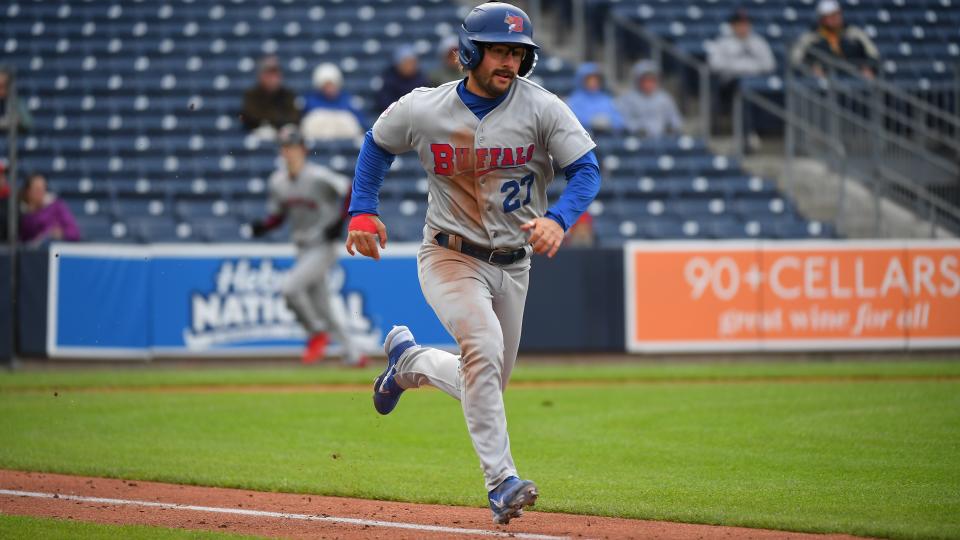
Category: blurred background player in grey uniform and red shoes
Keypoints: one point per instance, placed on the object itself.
(312, 198)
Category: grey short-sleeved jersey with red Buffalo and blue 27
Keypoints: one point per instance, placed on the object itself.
(486, 177)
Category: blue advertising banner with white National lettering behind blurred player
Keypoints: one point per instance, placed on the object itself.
(114, 301)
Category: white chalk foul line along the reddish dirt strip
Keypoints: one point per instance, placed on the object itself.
(281, 515)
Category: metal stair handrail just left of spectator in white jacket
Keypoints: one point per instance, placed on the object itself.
(656, 48)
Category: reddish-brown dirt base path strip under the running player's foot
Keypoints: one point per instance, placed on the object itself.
(286, 515)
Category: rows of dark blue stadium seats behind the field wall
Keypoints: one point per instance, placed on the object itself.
(136, 106)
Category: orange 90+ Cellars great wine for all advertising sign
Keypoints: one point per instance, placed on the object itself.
(699, 296)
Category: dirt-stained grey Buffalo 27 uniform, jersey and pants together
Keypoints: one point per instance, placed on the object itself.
(486, 178)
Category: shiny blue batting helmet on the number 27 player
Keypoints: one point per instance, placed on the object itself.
(496, 22)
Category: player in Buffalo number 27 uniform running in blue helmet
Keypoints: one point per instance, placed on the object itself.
(486, 144)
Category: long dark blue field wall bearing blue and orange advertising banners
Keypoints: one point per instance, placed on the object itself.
(201, 300)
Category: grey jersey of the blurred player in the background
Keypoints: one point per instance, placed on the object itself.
(311, 202)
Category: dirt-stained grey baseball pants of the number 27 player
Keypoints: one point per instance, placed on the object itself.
(481, 306)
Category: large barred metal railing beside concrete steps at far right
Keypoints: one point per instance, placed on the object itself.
(897, 144)
